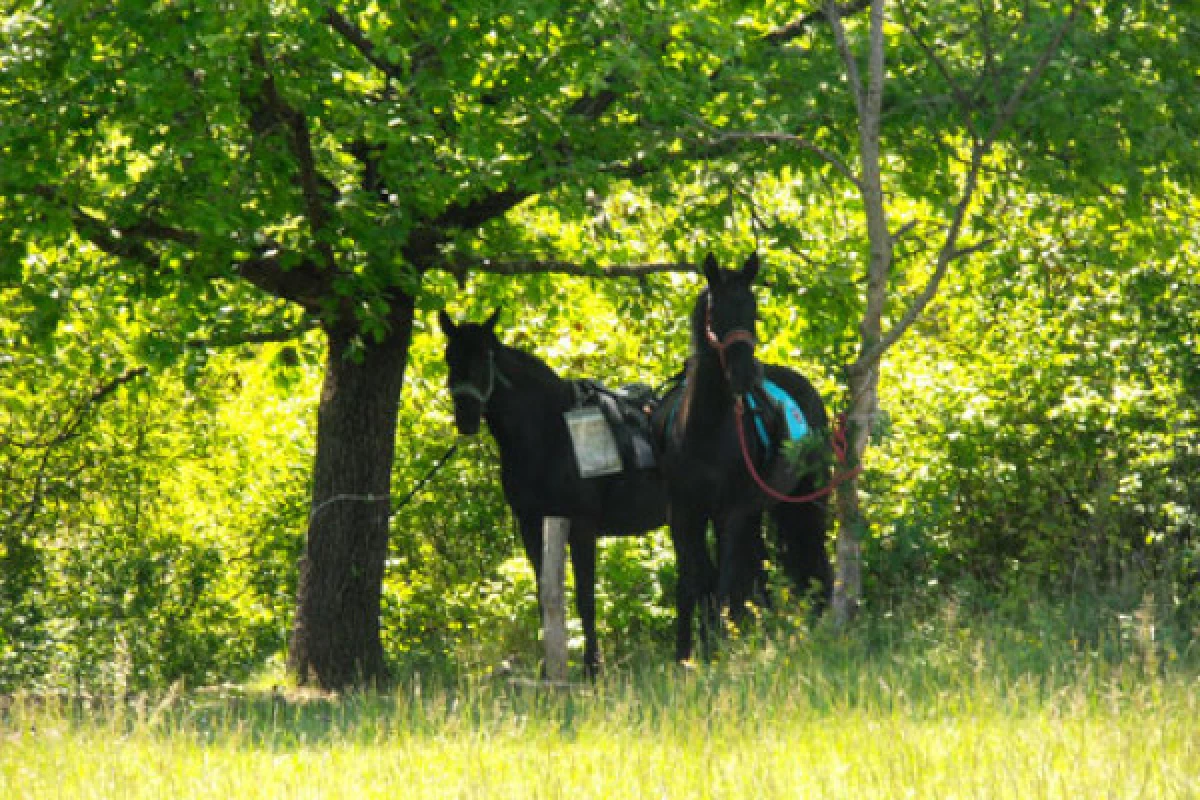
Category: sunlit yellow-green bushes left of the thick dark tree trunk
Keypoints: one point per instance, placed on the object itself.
(135, 554)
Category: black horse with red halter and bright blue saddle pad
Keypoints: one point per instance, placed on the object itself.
(705, 460)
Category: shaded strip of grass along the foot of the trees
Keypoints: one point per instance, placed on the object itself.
(951, 658)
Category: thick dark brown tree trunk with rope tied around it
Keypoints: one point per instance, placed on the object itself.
(335, 639)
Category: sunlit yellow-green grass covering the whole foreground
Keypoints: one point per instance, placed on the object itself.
(937, 709)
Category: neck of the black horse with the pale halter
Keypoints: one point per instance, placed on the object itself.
(521, 405)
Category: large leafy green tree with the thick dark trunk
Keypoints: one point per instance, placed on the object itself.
(266, 169)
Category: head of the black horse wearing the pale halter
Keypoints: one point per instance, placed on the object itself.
(471, 362)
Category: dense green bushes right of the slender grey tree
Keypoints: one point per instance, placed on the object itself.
(1061, 449)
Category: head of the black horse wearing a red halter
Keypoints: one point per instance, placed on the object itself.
(729, 318)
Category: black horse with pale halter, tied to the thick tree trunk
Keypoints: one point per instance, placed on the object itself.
(524, 402)
